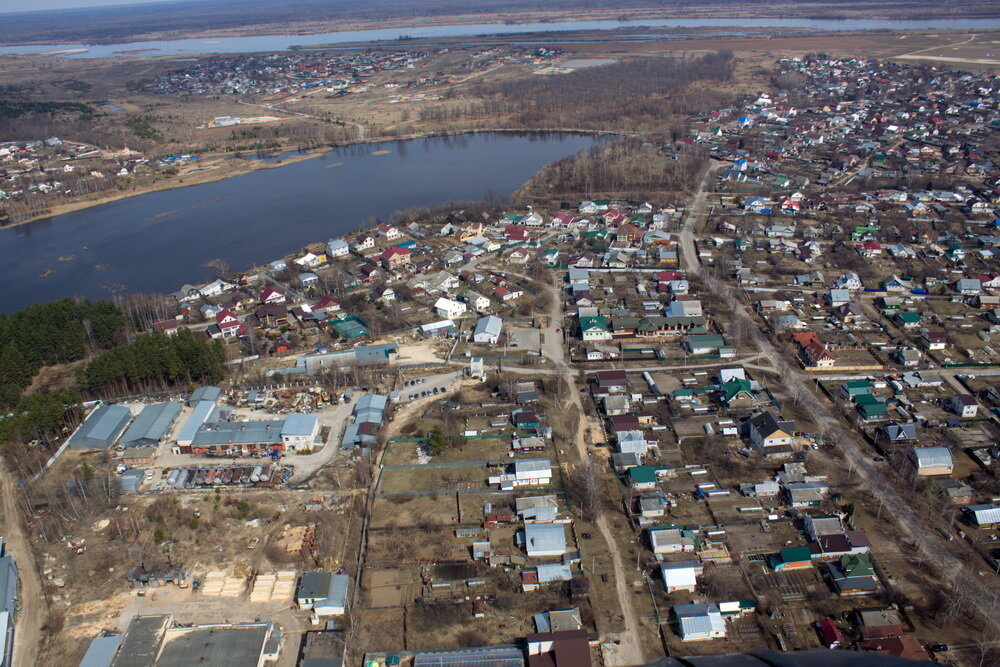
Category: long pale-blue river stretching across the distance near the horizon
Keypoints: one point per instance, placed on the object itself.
(264, 43)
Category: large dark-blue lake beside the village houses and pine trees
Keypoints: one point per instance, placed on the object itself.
(157, 242)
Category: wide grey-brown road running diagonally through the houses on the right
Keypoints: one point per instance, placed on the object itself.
(951, 567)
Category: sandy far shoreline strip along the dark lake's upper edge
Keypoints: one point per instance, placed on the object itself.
(171, 182)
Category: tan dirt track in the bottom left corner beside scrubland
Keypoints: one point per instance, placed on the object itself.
(30, 619)
